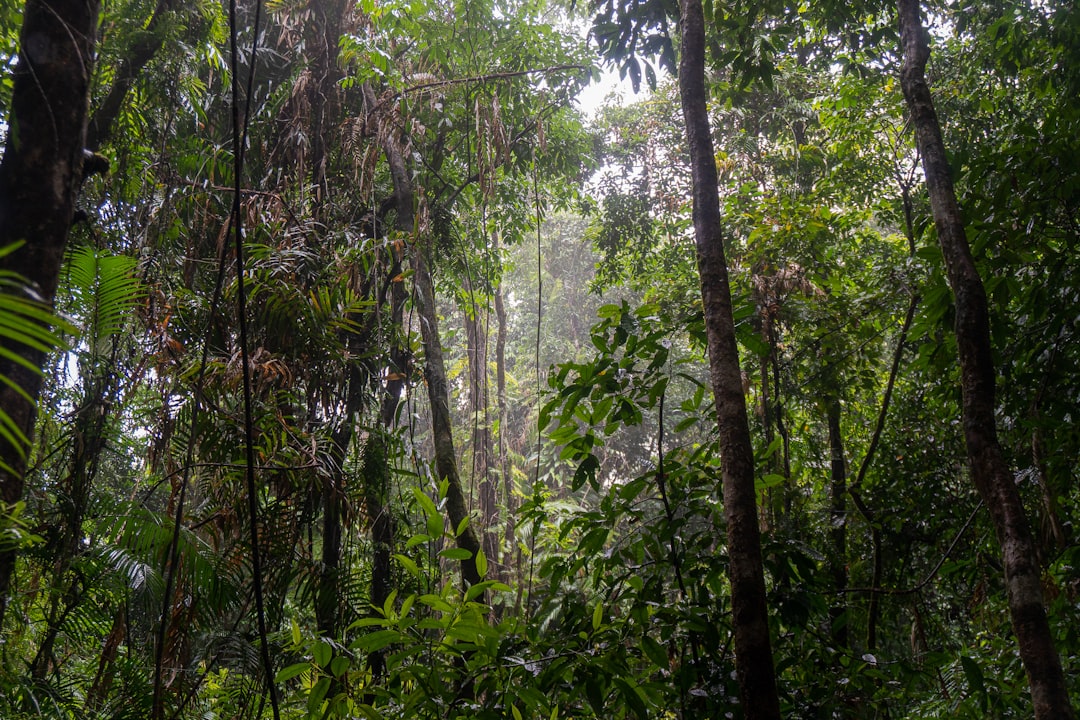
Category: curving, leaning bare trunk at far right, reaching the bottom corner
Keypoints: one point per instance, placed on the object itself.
(990, 471)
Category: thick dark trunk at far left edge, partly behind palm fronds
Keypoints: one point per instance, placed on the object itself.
(39, 179)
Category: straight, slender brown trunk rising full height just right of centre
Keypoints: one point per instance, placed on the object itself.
(757, 675)
